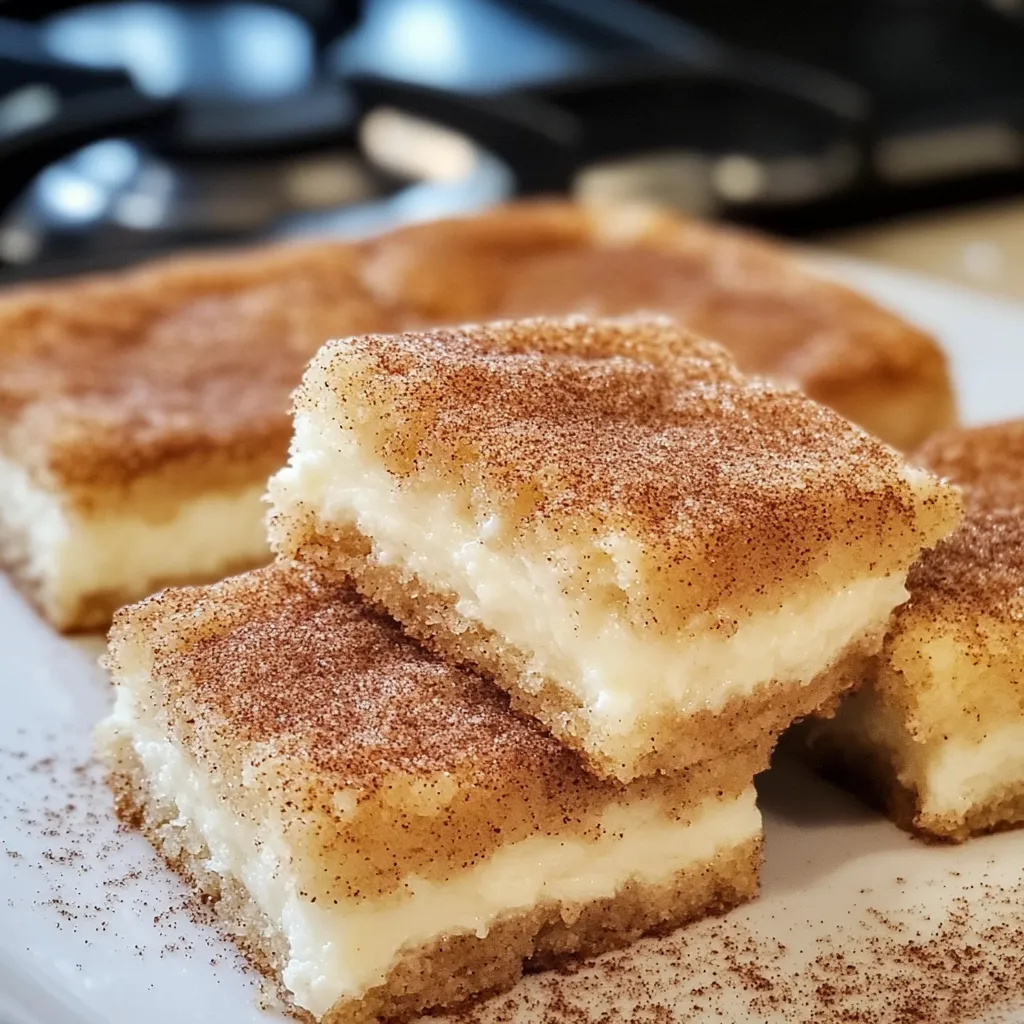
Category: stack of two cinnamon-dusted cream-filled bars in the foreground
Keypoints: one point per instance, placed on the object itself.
(629, 566)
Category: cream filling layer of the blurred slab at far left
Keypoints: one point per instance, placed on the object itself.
(76, 554)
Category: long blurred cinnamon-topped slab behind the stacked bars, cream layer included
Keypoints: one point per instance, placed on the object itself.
(142, 413)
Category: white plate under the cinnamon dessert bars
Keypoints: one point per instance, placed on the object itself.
(93, 927)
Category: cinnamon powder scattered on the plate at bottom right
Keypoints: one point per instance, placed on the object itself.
(914, 969)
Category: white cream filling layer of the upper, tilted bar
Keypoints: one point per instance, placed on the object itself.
(617, 671)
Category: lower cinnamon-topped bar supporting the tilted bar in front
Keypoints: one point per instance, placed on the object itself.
(379, 831)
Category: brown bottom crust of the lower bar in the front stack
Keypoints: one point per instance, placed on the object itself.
(454, 968)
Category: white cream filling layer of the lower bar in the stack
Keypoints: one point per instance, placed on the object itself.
(344, 952)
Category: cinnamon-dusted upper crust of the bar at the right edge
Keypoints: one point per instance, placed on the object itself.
(955, 653)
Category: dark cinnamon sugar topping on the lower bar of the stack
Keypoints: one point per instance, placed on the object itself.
(308, 669)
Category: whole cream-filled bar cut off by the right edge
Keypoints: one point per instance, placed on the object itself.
(936, 737)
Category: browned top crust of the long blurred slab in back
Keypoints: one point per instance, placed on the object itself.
(110, 379)
